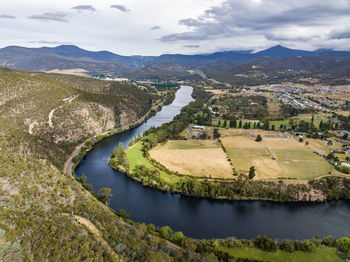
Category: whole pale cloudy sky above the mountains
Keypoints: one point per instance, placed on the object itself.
(153, 27)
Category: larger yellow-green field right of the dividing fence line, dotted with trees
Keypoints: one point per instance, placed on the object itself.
(277, 156)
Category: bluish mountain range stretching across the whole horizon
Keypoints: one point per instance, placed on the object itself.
(167, 65)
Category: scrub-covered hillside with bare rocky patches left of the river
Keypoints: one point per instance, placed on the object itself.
(45, 215)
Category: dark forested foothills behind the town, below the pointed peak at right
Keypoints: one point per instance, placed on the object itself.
(327, 69)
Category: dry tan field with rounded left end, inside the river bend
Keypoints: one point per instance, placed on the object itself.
(194, 157)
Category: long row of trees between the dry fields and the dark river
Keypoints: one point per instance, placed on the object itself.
(242, 188)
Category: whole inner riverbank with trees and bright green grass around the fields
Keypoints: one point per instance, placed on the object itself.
(150, 173)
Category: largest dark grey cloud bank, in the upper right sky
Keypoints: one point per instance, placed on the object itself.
(235, 18)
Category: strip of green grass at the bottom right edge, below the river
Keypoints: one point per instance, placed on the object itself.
(322, 253)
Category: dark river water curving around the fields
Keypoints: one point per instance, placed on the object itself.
(202, 218)
